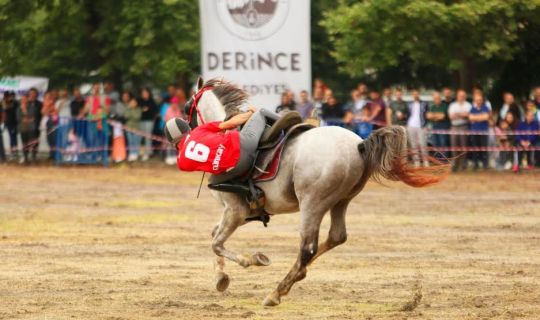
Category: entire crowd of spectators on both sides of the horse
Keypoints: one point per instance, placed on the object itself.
(127, 126)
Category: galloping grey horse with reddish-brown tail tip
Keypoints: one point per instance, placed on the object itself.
(321, 171)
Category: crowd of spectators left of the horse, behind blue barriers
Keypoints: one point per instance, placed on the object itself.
(127, 124)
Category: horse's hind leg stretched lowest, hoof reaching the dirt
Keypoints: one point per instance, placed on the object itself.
(309, 232)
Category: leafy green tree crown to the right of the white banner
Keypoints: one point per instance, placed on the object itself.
(460, 37)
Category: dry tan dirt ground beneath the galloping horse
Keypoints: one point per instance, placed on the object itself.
(134, 243)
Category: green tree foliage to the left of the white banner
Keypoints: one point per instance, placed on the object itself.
(69, 41)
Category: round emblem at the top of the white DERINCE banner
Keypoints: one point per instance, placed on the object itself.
(252, 19)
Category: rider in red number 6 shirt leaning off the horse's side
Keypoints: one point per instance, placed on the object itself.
(217, 148)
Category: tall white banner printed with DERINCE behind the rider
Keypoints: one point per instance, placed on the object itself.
(261, 45)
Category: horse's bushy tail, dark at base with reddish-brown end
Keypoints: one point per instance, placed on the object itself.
(385, 155)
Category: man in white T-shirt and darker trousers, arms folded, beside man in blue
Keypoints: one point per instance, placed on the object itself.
(458, 112)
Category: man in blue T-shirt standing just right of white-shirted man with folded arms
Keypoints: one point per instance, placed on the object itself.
(479, 116)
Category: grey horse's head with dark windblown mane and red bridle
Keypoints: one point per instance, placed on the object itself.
(214, 100)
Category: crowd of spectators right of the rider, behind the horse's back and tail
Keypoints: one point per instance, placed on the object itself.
(452, 125)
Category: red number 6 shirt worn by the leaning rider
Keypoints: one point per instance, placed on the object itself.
(210, 149)
